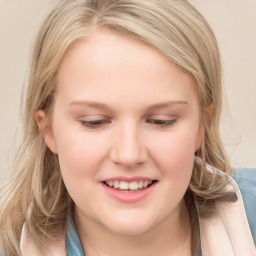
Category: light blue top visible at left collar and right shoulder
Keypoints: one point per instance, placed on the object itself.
(246, 180)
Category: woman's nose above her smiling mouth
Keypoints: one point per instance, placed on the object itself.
(128, 147)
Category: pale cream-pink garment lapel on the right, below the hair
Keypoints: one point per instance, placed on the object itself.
(227, 233)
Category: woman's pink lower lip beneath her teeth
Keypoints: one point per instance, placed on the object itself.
(129, 196)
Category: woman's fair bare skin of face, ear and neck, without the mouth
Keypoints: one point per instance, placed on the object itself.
(125, 78)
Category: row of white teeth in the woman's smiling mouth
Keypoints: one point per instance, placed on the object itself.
(123, 185)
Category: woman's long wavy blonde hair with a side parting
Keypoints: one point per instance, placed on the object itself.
(35, 193)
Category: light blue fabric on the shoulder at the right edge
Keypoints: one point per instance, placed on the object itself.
(246, 181)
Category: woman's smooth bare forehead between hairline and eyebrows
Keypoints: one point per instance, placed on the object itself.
(107, 64)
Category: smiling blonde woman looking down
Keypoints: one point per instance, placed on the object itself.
(122, 153)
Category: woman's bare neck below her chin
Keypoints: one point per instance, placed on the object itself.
(171, 237)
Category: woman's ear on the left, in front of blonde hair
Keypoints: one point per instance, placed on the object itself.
(46, 130)
